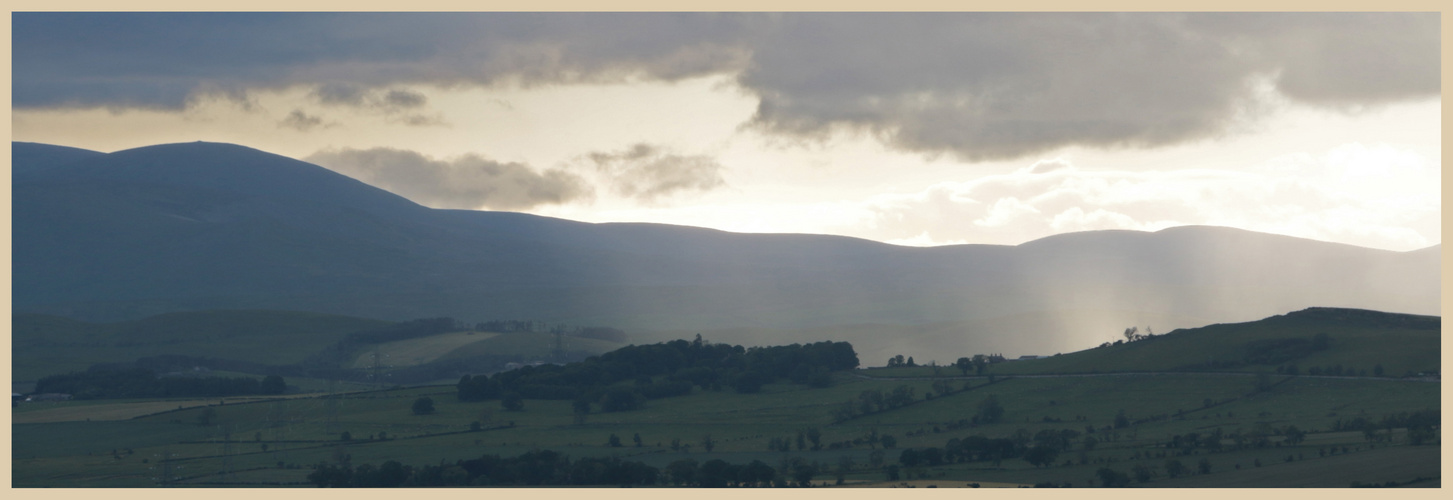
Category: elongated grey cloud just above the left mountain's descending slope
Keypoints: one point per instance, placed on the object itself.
(467, 182)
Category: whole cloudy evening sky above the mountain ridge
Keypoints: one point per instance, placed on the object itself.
(918, 130)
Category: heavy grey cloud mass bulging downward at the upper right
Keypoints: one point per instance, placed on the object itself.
(1003, 86)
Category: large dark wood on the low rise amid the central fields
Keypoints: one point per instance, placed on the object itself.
(666, 370)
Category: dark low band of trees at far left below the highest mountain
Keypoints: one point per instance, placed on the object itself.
(140, 383)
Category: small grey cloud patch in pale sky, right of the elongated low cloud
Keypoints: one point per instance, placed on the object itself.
(649, 172)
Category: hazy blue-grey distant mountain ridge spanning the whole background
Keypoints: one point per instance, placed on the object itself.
(207, 226)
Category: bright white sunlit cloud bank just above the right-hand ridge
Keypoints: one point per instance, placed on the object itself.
(1301, 195)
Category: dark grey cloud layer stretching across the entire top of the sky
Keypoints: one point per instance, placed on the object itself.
(976, 85)
